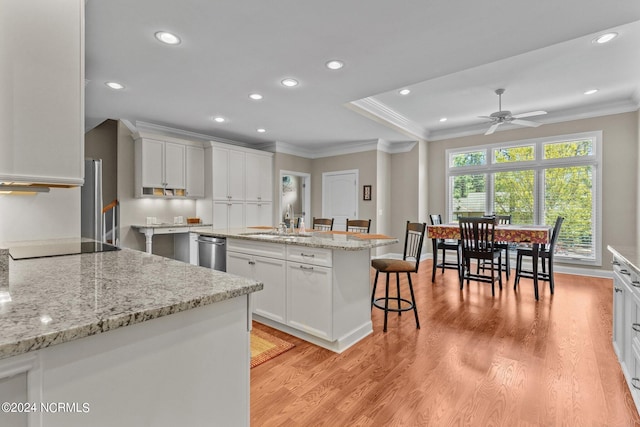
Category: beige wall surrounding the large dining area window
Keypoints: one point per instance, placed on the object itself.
(619, 168)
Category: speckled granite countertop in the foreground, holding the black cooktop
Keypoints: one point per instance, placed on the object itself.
(53, 300)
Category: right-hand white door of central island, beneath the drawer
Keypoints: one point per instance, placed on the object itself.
(309, 299)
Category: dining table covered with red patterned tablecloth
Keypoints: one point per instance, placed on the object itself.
(535, 235)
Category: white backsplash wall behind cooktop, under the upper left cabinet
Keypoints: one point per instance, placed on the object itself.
(50, 215)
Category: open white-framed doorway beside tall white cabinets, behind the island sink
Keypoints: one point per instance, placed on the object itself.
(295, 191)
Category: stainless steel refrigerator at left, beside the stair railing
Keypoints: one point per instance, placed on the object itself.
(91, 201)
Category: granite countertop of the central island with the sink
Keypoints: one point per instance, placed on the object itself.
(317, 239)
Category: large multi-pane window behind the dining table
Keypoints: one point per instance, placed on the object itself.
(534, 181)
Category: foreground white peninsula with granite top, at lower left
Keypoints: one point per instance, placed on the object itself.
(123, 338)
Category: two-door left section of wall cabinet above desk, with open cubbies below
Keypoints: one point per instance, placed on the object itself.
(160, 168)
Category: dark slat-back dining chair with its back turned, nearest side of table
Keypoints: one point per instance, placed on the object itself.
(477, 237)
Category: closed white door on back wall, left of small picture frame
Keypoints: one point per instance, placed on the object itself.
(340, 197)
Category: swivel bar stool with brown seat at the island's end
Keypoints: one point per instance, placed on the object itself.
(413, 240)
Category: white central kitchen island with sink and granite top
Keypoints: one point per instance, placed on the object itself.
(317, 285)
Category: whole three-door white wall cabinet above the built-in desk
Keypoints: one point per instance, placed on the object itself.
(168, 168)
